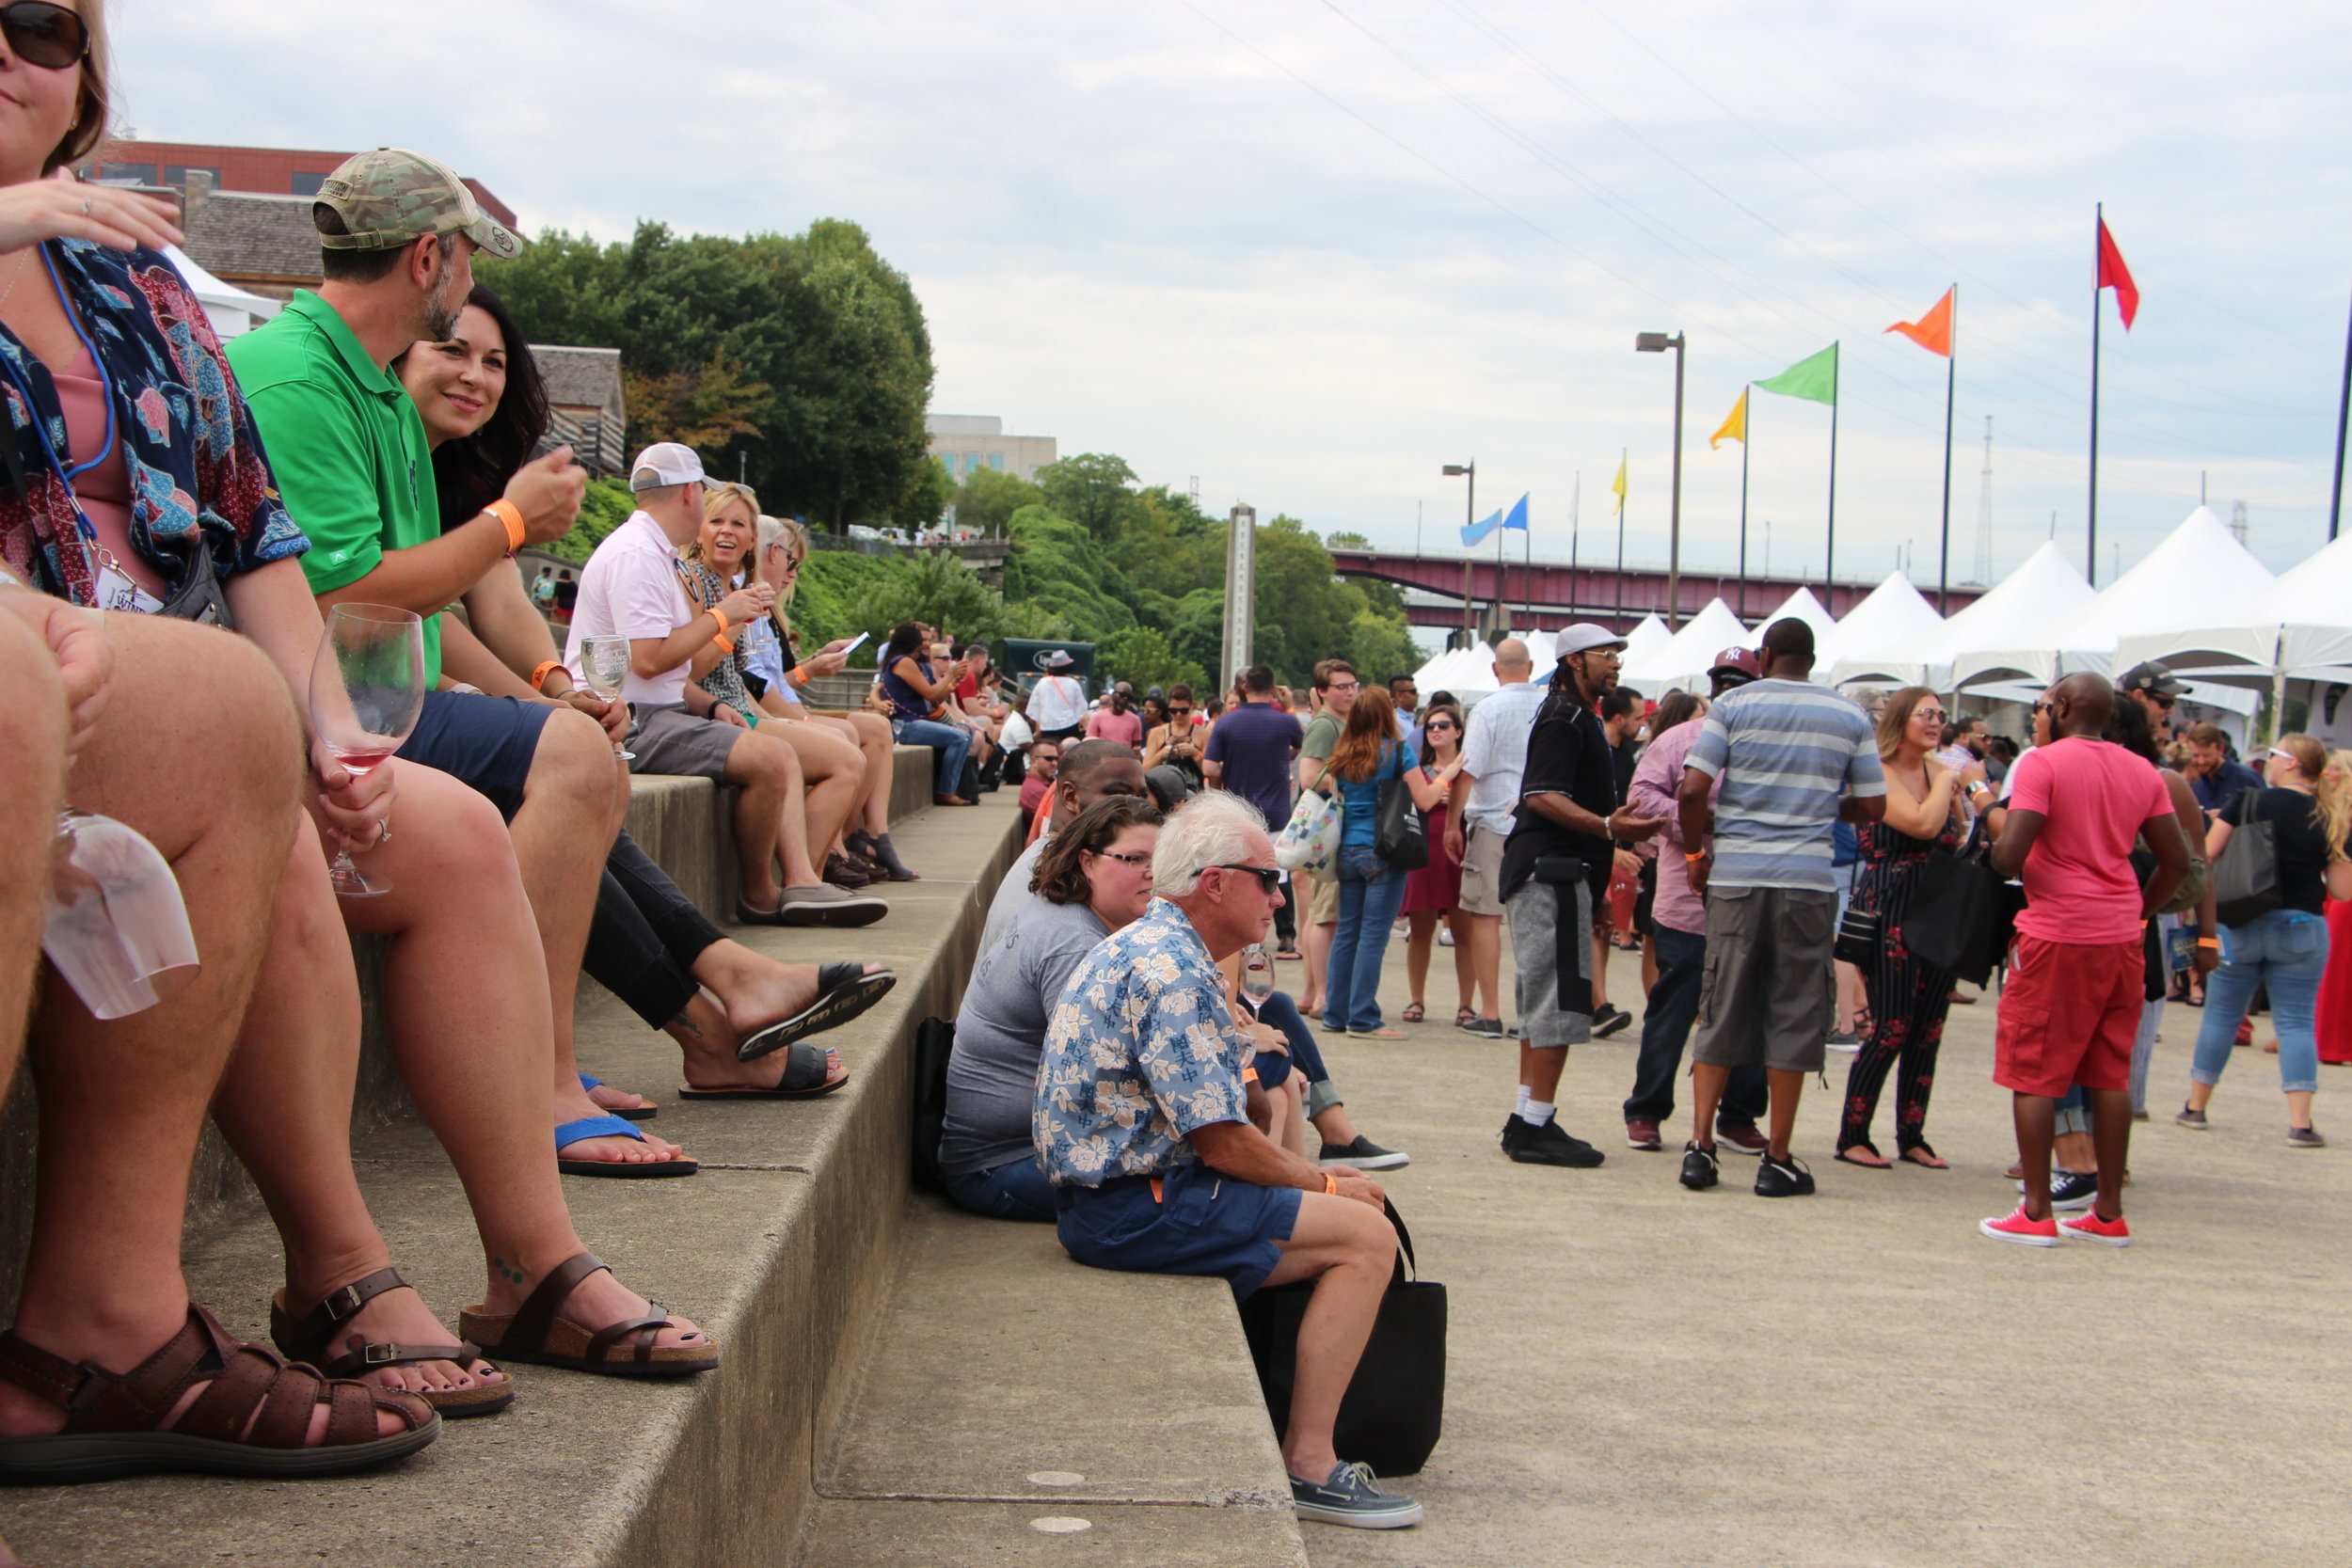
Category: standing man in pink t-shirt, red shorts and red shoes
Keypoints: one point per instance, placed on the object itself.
(2076, 986)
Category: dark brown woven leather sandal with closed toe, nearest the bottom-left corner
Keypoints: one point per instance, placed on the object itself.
(253, 1419)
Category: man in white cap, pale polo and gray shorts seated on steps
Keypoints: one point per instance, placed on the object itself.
(632, 589)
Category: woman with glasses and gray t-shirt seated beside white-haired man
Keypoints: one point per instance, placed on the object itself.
(1093, 880)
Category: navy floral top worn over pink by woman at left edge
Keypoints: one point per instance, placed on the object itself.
(189, 448)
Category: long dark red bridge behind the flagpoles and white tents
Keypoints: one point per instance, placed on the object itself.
(1556, 594)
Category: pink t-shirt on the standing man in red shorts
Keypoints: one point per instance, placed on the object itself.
(2092, 798)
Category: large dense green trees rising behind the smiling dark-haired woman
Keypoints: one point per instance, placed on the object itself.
(803, 359)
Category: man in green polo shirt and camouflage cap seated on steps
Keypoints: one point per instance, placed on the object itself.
(349, 450)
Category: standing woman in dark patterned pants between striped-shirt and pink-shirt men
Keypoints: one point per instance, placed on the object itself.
(1909, 998)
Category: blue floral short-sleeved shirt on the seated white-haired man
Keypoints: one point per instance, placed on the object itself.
(1140, 1052)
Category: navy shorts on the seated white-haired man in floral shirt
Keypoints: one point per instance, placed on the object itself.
(1201, 1224)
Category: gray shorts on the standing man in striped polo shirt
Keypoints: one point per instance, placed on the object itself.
(1770, 991)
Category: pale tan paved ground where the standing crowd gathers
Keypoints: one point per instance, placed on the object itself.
(1655, 1376)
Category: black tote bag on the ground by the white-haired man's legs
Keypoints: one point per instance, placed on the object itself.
(1396, 1402)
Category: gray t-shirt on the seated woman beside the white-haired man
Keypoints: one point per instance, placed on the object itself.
(1001, 1033)
